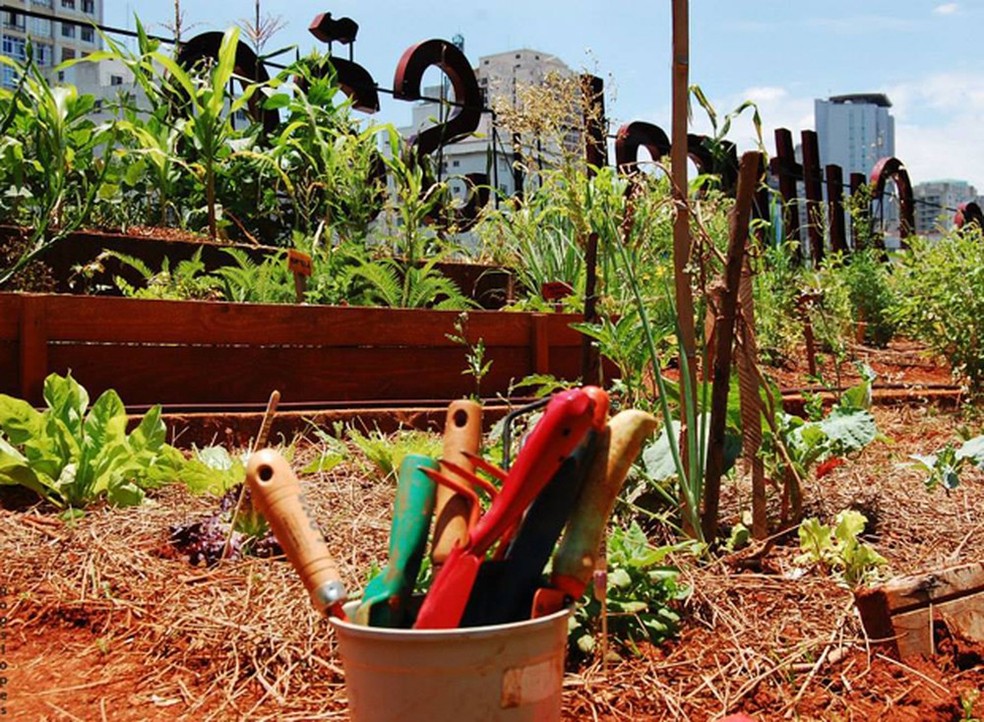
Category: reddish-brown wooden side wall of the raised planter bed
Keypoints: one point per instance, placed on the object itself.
(191, 353)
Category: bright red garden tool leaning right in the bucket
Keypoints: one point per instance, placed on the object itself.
(563, 426)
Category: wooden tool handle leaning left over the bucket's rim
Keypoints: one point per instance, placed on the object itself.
(277, 495)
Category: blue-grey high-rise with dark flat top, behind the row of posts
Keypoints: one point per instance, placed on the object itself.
(855, 131)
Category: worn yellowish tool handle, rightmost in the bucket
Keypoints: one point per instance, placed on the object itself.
(620, 445)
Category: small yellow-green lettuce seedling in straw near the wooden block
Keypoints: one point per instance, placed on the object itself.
(839, 551)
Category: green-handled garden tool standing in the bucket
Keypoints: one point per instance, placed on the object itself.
(384, 602)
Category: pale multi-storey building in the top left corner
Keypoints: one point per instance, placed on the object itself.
(52, 40)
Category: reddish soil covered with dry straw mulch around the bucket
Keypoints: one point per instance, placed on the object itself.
(105, 622)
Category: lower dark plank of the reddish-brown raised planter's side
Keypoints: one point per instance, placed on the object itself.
(190, 375)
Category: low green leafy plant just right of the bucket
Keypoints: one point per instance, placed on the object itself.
(640, 594)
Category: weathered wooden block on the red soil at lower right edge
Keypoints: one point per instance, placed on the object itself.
(902, 614)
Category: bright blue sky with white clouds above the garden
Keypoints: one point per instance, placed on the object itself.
(781, 54)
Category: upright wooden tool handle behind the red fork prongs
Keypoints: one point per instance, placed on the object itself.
(462, 433)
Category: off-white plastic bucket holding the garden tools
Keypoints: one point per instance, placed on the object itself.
(509, 672)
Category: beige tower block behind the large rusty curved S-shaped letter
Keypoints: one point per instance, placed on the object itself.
(499, 76)
